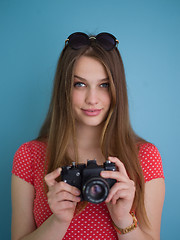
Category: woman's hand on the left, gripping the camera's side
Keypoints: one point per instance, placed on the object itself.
(62, 197)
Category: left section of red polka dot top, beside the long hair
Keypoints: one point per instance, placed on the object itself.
(28, 164)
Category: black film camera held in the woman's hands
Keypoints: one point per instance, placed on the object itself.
(87, 179)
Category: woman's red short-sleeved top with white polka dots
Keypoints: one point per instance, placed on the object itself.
(94, 221)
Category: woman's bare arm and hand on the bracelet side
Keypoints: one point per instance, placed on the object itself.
(120, 199)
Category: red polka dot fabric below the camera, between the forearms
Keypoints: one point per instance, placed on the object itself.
(93, 222)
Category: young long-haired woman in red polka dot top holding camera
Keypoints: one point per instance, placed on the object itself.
(88, 119)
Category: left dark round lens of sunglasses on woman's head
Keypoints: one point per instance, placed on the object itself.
(78, 40)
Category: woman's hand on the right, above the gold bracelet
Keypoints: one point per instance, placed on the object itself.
(121, 195)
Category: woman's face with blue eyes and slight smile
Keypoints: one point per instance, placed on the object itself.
(91, 94)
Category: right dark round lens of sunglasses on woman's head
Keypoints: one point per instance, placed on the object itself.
(106, 40)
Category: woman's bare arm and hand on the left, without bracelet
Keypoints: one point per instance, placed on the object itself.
(23, 223)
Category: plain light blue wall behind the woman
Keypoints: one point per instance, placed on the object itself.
(32, 34)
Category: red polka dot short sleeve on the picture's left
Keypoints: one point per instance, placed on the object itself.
(23, 163)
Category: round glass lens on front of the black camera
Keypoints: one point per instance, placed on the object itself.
(95, 190)
